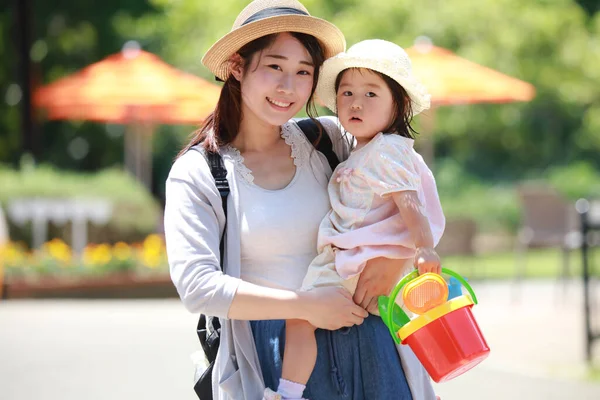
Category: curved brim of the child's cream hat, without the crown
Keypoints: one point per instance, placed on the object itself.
(326, 93)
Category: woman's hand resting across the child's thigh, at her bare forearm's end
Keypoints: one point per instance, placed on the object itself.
(331, 308)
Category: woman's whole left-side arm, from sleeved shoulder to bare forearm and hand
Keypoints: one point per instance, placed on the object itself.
(194, 222)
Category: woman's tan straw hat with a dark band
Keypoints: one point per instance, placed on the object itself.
(264, 17)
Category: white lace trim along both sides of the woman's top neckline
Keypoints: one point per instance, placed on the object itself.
(292, 137)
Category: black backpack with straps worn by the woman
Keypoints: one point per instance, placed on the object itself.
(209, 328)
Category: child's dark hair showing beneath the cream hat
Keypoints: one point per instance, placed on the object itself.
(402, 120)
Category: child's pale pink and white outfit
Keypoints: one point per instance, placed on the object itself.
(364, 222)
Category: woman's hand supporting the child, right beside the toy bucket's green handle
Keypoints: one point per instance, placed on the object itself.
(377, 279)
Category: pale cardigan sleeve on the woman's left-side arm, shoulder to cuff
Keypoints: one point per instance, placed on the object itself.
(194, 223)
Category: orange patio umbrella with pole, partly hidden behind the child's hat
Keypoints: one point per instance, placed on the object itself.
(451, 79)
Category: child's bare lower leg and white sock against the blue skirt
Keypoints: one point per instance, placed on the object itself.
(299, 357)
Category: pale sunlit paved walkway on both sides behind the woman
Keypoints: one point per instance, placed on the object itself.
(127, 349)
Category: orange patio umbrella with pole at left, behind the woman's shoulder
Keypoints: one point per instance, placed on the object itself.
(131, 87)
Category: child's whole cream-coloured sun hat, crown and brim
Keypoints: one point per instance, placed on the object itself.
(378, 55)
